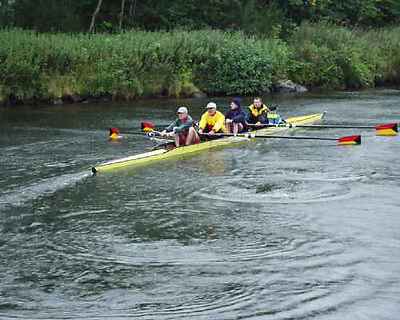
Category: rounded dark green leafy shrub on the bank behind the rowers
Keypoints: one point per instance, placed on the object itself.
(242, 65)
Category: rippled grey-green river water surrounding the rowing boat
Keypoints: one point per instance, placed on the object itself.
(272, 229)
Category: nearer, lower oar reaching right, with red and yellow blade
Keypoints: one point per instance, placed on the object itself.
(348, 140)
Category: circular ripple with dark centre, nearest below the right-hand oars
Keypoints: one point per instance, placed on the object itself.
(281, 188)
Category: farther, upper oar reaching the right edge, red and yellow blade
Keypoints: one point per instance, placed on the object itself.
(388, 129)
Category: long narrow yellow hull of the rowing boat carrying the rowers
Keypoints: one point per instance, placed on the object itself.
(162, 154)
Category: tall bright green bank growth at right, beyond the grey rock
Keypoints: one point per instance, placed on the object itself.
(339, 58)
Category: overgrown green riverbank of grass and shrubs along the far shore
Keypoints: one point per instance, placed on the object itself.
(62, 68)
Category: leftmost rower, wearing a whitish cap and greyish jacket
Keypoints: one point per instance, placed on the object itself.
(182, 129)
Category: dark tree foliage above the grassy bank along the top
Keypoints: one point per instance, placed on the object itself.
(264, 17)
